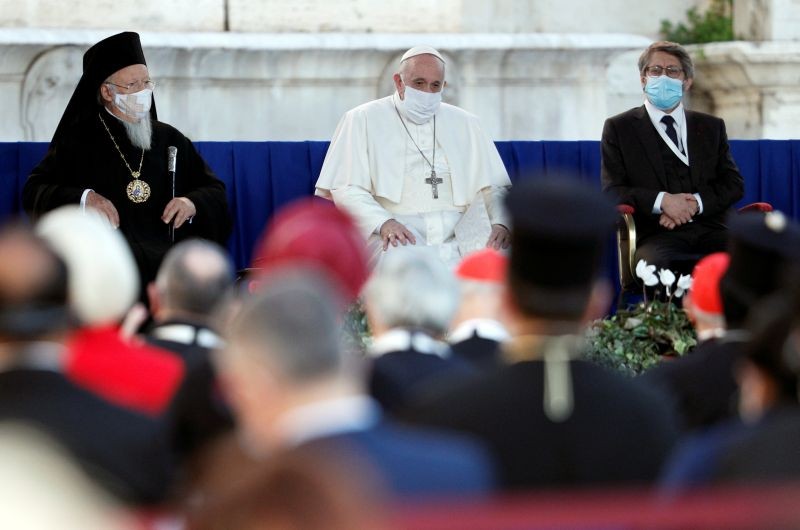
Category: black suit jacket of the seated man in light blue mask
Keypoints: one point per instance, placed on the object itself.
(632, 168)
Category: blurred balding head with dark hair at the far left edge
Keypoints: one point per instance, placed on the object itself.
(33, 286)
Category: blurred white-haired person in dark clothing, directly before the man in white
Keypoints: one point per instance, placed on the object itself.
(411, 299)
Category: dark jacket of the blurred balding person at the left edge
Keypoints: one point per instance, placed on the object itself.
(126, 453)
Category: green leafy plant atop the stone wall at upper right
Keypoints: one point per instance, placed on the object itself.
(714, 25)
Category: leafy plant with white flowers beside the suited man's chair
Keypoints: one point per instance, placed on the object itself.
(643, 335)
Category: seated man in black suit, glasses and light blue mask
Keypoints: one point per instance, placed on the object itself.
(671, 164)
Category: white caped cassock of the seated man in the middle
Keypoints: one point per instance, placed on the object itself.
(374, 171)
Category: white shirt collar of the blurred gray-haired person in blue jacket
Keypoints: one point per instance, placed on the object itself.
(327, 418)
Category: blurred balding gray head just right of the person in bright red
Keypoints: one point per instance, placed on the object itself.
(195, 277)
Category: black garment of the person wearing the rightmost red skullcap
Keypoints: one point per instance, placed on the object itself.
(702, 384)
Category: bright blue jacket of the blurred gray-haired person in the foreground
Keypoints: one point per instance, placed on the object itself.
(415, 462)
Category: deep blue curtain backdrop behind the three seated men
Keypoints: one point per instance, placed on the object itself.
(262, 176)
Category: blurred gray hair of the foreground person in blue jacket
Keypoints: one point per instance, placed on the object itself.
(292, 322)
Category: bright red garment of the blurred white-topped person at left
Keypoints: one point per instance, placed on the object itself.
(130, 374)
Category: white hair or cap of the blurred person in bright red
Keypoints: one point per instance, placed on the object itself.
(102, 274)
